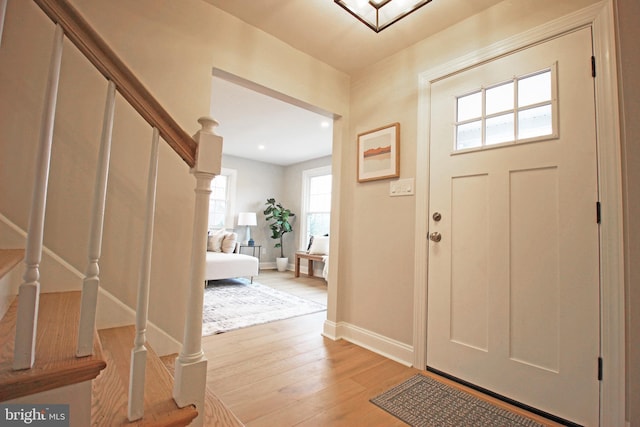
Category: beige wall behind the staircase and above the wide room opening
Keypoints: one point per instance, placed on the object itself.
(172, 47)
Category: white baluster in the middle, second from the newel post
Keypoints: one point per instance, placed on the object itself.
(91, 282)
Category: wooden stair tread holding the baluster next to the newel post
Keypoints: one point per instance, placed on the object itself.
(110, 390)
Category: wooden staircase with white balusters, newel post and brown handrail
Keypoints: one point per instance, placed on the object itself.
(52, 352)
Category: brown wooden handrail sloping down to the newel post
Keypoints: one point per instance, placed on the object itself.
(96, 50)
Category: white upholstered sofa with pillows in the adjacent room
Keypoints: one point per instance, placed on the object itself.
(224, 260)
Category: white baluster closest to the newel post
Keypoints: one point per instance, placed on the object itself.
(139, 351)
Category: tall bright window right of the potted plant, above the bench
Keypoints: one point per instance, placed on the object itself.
(316, 204)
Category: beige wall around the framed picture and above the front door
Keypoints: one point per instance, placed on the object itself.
(377, 265)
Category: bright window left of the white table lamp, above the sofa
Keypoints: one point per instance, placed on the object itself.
(222, 200)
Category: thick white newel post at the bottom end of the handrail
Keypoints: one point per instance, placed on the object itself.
(191, 364)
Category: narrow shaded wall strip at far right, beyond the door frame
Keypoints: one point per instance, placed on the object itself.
(627, 15)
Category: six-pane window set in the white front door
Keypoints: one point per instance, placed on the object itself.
(523, 109)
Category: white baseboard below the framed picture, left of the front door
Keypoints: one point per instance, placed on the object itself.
(384, 346)
